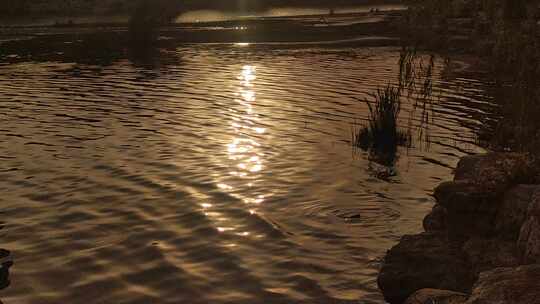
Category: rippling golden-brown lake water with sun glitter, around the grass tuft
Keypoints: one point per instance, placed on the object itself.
(213, 174)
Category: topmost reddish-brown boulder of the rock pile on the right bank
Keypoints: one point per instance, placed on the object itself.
(495, 171)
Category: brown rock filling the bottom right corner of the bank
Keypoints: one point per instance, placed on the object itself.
(519, 285)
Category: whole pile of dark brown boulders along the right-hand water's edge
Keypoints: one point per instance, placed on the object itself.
(481, 243)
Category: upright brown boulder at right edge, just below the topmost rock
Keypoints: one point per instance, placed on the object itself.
(512, 212)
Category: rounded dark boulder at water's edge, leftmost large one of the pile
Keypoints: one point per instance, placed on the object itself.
(426, 260)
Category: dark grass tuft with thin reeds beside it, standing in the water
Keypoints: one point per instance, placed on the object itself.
(381, 135)
